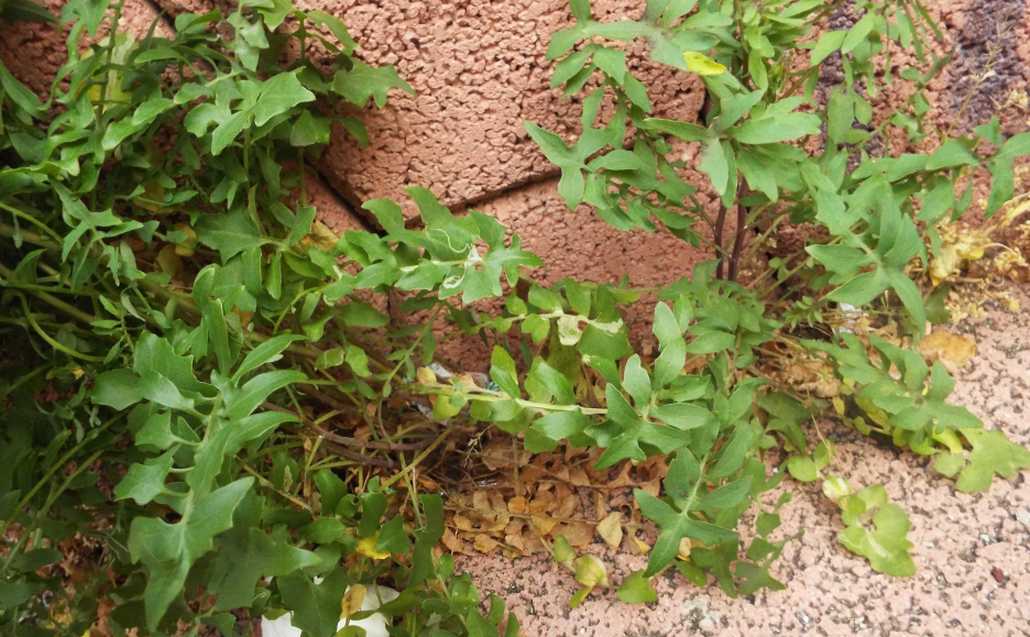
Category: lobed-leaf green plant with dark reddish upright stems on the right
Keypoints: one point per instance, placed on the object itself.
(875, 219)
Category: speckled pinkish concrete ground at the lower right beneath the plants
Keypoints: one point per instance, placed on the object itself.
(973, 552)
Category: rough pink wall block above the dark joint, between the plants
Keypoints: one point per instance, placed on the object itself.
(479, 71)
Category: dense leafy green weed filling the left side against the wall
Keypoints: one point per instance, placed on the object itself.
(178, 329)
